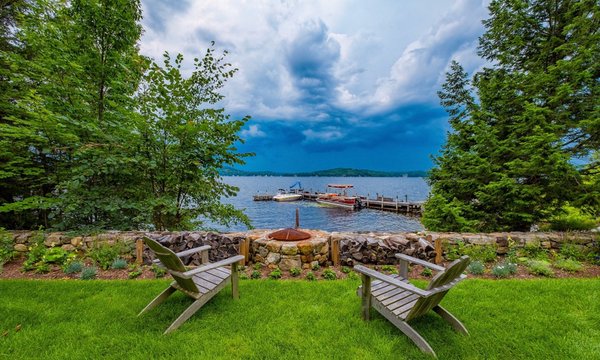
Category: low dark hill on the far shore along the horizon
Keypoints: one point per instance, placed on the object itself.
(337, 172)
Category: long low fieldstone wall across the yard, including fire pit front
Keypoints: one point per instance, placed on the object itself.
(323, 247)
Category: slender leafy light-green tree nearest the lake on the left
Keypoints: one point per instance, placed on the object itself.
(185, 140)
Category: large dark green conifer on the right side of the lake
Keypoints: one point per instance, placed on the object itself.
(507, 162)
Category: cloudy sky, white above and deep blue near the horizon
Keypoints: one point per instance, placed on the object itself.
(337, 83)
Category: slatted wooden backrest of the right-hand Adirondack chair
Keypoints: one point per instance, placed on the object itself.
(424, 304)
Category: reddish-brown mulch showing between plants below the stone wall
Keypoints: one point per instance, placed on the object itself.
(13, 270)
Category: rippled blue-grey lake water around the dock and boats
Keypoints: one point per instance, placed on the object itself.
(274, 215)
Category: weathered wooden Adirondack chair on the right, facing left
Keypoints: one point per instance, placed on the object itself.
(399, 301)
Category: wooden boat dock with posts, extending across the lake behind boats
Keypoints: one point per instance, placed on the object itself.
(379, 203)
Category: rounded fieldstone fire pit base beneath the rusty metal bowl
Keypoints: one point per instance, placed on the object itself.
(290, 254)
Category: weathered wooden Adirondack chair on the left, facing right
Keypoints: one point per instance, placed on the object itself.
(201, 283)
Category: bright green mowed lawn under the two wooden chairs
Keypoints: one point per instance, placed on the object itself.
(508, 319)
